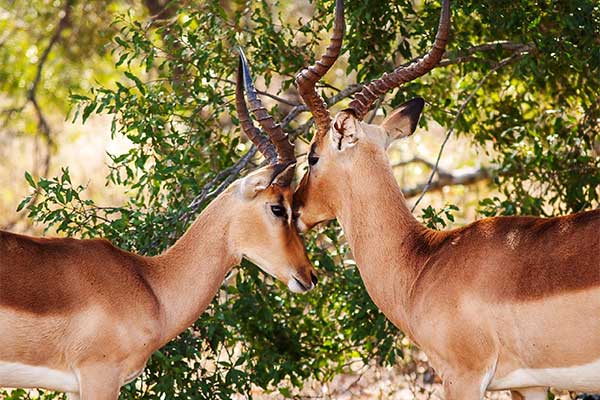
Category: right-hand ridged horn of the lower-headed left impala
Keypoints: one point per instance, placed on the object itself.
(279, 138)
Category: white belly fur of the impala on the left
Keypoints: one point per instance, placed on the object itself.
(16, 375)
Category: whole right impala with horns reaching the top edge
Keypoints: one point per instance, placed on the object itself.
(502, 303)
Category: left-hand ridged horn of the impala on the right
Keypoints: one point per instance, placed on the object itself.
(306, 80)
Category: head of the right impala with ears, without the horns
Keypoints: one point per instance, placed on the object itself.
(351, 146)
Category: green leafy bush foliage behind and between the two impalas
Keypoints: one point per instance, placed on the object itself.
(537, 117)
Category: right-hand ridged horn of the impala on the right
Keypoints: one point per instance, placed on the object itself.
(366, 97)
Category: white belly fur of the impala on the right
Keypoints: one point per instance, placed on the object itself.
(582, 377)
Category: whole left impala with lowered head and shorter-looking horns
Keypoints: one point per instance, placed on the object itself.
(83, 316)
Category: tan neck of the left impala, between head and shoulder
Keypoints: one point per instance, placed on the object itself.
(188, 275)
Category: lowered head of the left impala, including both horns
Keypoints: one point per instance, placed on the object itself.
(263, 229)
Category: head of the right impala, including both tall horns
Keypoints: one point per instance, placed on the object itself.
(341, 143)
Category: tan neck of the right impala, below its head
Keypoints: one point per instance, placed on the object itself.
(381, 232)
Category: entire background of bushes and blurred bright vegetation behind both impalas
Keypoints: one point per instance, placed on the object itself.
(122, 114)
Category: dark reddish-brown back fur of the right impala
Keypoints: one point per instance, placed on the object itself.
(543, 262)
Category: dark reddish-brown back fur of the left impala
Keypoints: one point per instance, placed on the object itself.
(73, 262)
